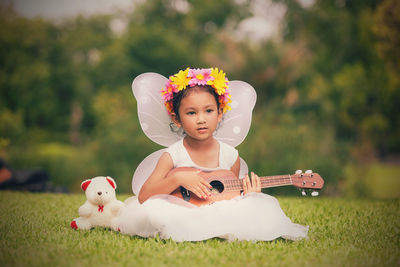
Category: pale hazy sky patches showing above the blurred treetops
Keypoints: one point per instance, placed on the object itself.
(264, 24)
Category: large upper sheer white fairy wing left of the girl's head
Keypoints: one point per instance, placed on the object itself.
(153, 116)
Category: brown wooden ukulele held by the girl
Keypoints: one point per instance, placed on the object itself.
(225, 184)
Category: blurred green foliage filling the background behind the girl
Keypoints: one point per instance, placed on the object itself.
(327, 87)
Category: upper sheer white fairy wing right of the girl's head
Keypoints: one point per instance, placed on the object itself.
(236, 122)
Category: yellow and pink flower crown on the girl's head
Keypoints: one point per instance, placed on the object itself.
(192, 77)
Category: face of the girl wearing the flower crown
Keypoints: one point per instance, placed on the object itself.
(198, 115)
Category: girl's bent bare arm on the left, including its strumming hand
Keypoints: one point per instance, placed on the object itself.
(160, 182)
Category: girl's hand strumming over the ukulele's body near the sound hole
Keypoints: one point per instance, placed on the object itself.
(192, 181)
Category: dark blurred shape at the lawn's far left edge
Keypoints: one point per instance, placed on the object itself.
(32, 180)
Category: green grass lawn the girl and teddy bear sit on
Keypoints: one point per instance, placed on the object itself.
(34, 231)
